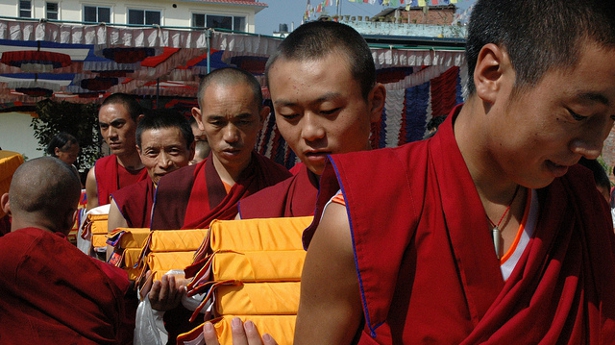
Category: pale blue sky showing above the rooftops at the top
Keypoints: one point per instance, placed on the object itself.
(291, 11)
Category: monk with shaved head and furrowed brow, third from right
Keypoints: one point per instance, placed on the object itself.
(231, 113)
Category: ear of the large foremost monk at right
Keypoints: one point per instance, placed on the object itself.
(492, 67)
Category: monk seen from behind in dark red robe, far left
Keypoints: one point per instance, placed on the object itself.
(51, 291)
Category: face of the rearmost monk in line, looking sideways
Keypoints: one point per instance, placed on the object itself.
(117, 128)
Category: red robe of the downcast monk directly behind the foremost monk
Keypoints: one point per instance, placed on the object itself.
(293, 197)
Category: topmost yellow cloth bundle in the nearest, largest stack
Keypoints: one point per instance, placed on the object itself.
(268, 234)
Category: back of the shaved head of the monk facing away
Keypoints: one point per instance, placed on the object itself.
(44, 193)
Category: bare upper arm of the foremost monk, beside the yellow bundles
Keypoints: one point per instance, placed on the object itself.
(330, 310)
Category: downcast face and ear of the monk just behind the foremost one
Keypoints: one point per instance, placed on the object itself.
(320, 110)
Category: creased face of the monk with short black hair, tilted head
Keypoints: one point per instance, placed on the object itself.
(163, 150)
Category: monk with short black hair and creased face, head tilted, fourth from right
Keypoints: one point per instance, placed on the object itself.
(165, 143)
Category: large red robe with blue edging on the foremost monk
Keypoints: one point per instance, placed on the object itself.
(427, 268)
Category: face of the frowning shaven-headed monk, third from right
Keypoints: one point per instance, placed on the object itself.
(231, 118)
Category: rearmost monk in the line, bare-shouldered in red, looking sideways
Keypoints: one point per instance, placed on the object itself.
(117, 119)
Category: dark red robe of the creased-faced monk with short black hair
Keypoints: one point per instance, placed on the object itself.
(135, 203)
